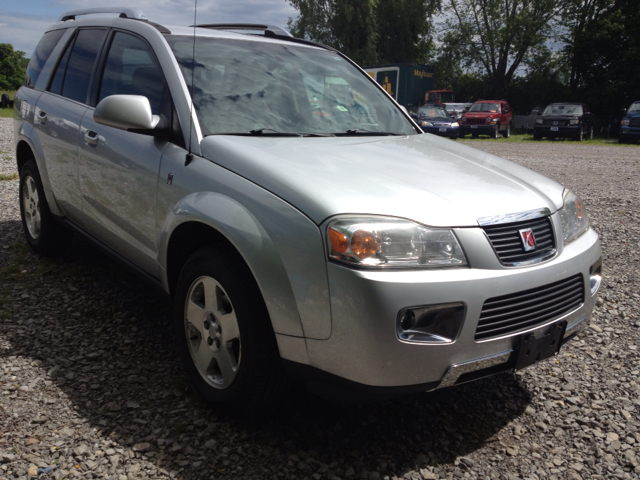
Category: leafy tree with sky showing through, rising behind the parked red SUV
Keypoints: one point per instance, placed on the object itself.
(496, 37)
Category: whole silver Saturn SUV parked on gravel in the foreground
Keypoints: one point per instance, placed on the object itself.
(302, 223)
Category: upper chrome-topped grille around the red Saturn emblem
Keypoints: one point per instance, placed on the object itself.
(506, 241)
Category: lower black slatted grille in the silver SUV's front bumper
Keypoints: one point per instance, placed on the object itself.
(518, 311)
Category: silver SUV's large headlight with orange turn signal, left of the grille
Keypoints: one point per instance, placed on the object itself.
(391, 242)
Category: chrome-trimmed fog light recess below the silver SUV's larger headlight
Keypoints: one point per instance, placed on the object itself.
(430, 323)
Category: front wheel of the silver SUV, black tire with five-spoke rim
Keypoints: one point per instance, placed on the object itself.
(224, 332)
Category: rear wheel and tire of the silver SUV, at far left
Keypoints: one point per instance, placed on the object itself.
(43, 232)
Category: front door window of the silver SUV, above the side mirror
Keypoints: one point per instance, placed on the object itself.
(131, 69)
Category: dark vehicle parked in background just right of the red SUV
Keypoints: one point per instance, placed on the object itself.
(564, 120)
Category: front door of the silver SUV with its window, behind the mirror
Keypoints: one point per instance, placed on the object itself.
(119, 169)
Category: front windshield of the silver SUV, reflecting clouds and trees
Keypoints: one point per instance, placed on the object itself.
(243, 86)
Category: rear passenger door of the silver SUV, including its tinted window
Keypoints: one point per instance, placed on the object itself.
(59, 113)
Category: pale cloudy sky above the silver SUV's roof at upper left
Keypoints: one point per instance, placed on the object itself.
(22, 22)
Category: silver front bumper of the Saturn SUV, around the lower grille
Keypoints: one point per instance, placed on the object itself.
(364, 347)
